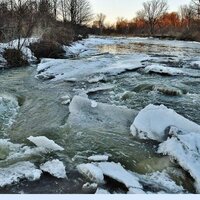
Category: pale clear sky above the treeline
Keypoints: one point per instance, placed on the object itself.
(126, 8)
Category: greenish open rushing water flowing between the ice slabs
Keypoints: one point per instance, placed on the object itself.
(42, 113)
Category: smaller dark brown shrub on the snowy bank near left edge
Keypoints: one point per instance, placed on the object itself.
(15, 58)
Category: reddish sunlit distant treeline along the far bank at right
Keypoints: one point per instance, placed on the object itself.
(155, 20)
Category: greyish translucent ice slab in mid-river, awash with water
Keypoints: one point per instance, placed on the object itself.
(83, 116)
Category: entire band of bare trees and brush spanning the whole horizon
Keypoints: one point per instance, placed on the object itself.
(23, 18)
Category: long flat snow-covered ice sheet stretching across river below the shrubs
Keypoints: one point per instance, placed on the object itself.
(83, 69)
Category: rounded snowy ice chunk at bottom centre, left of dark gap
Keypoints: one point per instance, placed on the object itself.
(92, 172)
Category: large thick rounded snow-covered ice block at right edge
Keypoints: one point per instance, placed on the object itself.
(152, 121)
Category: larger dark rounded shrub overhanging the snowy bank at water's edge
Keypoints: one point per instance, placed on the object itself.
(47, 49)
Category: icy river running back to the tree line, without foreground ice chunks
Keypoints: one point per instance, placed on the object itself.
(39, 110)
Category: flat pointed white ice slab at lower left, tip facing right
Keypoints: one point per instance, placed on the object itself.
(42, 141)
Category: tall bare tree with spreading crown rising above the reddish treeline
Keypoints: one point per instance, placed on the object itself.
(152, 11)
